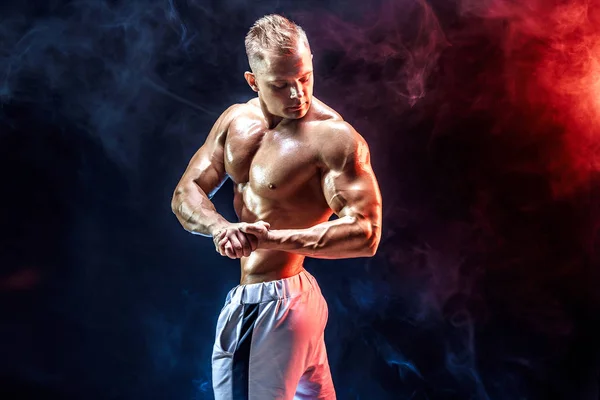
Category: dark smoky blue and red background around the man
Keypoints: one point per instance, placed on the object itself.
(483, 122)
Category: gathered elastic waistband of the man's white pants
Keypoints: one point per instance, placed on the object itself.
(273, 290)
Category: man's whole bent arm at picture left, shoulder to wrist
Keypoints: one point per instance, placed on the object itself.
(203, 176)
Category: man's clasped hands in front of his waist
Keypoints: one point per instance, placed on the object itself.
(233, 242)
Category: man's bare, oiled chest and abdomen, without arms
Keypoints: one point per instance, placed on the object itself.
(277, 179)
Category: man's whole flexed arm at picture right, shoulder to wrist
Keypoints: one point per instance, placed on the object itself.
(352, 192)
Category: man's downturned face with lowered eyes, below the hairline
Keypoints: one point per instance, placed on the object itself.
(285, 83)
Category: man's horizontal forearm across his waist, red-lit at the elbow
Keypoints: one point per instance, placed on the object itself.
(345, 237)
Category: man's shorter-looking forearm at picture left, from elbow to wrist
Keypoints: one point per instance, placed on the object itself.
(194, 210)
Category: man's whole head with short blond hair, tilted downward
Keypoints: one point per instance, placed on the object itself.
(281, 64)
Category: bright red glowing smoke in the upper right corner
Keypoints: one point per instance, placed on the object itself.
(552, 62)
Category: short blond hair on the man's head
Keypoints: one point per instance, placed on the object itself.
(272, 33)
